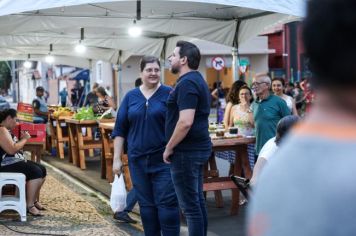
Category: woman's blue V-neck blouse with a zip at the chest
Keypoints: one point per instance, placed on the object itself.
(141, 122)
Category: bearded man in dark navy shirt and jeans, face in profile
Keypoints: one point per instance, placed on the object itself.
(189, 145)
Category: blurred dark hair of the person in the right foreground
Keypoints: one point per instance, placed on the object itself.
(329, 35)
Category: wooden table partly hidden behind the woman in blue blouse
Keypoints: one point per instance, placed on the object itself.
(107, 155)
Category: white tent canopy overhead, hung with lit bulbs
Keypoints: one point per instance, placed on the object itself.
(34, 24)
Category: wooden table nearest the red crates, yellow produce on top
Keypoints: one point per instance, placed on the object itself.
(59, 134)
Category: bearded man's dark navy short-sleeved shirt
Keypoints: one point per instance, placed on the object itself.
(190, 92)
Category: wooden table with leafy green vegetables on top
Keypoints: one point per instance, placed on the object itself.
(79, 143)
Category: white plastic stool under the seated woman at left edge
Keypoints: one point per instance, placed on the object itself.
(15, 202)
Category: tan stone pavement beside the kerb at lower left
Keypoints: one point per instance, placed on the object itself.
(70, 211)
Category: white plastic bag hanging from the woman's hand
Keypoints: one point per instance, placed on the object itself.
(118, 194)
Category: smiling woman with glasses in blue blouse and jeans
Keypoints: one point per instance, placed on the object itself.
(141, 122)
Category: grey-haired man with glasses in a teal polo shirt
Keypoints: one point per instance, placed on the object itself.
(267, 110)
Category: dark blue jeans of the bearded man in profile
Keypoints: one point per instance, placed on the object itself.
(187, 175)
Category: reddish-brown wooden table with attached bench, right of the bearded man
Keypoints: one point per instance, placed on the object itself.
(216, 183)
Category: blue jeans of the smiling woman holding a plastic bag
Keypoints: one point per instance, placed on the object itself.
(155, 193)
